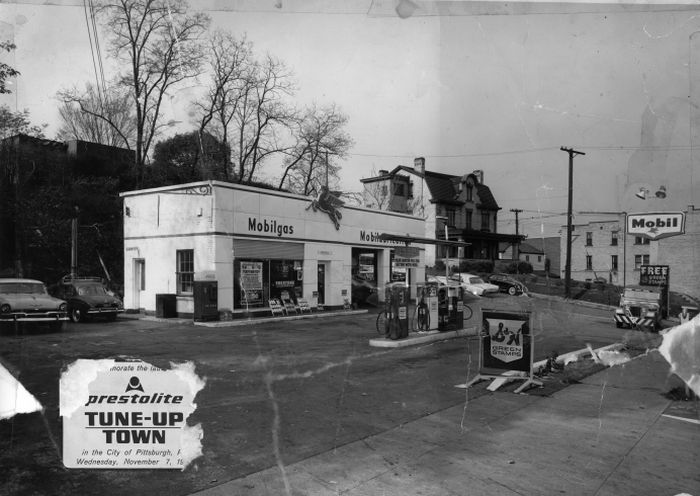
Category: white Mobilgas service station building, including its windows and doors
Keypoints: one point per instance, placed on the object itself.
(256, 243)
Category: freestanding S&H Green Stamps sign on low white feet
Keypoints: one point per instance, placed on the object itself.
(506, 348)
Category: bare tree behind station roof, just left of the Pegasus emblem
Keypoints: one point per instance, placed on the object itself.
(320, 136)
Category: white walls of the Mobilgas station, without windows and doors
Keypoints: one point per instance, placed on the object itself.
(206, 217)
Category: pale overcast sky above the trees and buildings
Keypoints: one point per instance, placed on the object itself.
(467, 85)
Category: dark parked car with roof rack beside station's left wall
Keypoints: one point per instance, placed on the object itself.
(87, 297)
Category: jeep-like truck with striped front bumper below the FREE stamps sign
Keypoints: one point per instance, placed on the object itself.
(641, 308)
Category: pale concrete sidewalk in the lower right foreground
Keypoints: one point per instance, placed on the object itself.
(607, 435)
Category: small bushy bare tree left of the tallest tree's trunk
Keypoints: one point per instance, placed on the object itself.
(115, 127)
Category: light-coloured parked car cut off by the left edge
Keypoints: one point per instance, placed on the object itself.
(26, 300)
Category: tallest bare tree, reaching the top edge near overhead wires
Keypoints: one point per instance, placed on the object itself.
(158, 43)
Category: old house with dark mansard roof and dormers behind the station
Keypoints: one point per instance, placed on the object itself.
(456, 208)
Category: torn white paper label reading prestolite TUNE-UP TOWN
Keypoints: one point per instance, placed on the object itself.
(127, 414)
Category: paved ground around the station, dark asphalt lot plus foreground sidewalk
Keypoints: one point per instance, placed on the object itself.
(360, 421)
